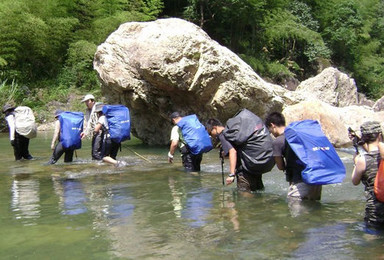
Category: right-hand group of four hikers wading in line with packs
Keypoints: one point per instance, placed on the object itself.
(300, 150)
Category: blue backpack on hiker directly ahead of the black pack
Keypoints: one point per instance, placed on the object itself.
(195, 135)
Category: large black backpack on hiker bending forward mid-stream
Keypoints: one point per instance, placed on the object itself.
(252, 141)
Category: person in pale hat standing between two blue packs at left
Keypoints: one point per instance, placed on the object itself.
(90, 121)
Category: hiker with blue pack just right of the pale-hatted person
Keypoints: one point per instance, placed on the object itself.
(114, 124)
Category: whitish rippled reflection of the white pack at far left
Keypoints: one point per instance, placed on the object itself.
(25, 197)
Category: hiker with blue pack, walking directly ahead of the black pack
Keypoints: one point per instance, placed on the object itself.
(192, 138)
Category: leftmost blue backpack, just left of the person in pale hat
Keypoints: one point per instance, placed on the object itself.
(71, 126)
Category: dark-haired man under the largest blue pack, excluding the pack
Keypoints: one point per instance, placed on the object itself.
(287, 161)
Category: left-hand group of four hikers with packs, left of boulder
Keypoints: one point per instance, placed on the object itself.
(69, 129)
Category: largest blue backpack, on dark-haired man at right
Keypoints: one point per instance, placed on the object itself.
(321, 163)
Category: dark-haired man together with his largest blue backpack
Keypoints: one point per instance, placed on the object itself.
(305, 154)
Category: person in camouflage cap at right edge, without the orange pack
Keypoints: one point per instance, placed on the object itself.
(366, 166)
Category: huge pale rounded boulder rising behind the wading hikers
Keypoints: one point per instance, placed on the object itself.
(172, 65)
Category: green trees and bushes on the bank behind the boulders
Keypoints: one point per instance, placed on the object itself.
(47, 47)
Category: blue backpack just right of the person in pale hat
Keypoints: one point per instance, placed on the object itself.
(119, 122)
